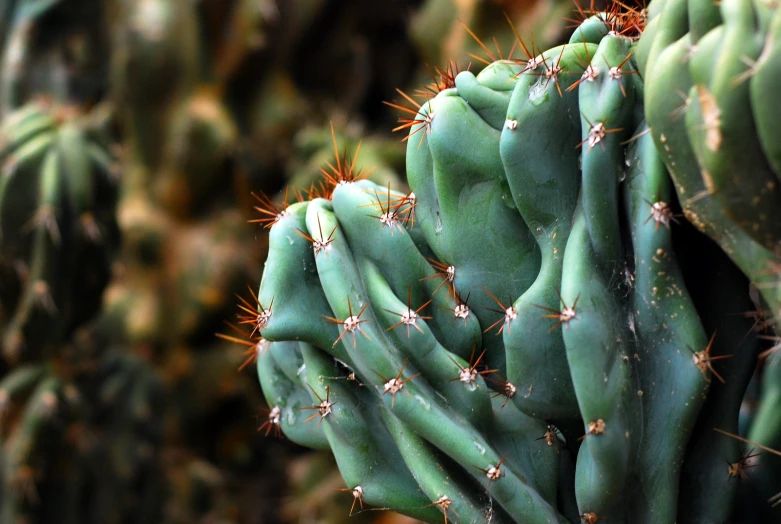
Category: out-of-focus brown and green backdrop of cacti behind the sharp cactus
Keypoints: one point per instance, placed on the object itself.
(137, 138)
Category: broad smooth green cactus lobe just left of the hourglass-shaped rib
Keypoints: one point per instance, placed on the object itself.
(467, 214)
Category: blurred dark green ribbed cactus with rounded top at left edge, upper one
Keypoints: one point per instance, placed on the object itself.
(59, 234)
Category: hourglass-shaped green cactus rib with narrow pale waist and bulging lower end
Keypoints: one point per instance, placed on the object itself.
(542, 167)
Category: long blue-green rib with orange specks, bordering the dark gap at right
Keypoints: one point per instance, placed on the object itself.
(668, 335)
